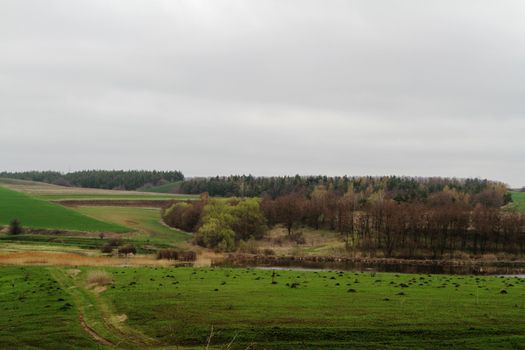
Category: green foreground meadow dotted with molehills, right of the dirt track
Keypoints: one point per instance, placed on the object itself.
(322, 311)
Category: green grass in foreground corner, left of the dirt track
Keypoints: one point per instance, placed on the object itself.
(36, 313)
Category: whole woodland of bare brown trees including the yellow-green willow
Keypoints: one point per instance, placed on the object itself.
(432, 218)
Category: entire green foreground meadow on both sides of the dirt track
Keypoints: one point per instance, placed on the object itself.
(302, 310)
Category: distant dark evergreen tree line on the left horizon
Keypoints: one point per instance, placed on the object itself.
(104, 179)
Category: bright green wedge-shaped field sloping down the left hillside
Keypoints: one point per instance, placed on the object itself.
(37, 213)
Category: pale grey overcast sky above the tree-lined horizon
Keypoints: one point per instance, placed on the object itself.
(368, 87)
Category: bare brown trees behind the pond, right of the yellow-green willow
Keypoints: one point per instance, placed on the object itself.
(445, 224)
